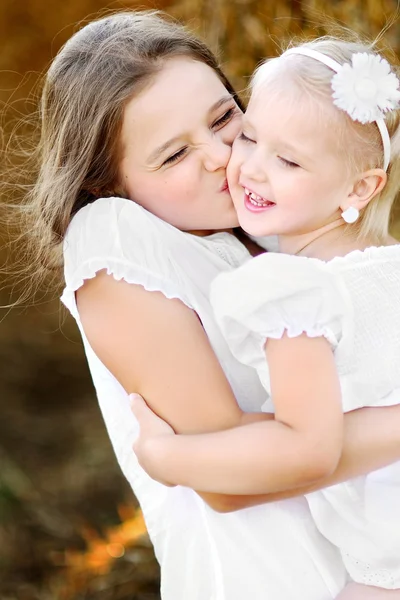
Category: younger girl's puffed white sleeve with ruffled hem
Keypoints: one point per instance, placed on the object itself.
(277, 293)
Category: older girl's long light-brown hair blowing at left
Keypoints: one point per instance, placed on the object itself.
(76, 158)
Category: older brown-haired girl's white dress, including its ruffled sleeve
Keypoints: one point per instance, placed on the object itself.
(268, 552)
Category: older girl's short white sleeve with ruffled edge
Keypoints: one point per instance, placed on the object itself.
(130, 243)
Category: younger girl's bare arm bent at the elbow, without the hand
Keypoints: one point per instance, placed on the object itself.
(302, 445)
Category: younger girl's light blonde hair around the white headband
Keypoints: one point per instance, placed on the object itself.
(361, 144)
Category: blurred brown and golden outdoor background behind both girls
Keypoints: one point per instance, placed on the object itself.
(69, 526)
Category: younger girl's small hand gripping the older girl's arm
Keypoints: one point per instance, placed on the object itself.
(152, 431)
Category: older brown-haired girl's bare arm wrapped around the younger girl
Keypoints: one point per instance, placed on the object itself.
(157, 347)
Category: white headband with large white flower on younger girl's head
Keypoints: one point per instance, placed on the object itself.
(366, 89)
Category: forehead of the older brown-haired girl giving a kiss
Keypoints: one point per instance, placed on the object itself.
(179, 97)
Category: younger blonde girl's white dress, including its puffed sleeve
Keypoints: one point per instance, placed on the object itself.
(354, 301)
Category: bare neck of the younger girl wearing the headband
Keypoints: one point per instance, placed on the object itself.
(317, 243)
